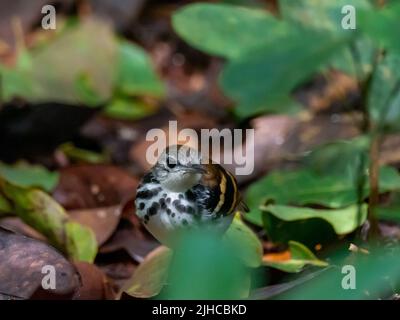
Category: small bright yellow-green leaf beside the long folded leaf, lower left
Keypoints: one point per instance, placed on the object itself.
(81, 242)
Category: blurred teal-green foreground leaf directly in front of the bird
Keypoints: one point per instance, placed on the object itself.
(204, 267)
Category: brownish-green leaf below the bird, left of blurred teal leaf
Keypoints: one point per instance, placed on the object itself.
(151, 275)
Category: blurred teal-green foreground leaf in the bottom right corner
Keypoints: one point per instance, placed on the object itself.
(381, 263)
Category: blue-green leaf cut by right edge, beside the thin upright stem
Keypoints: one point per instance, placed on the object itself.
(384, 96)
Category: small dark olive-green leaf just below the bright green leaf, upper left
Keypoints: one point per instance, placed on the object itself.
(127, 108)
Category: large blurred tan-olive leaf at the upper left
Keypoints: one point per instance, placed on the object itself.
(75, 67)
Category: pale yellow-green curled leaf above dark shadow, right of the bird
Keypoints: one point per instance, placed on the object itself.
(343, 221)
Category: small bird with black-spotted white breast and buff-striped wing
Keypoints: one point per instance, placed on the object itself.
(182, 192)
